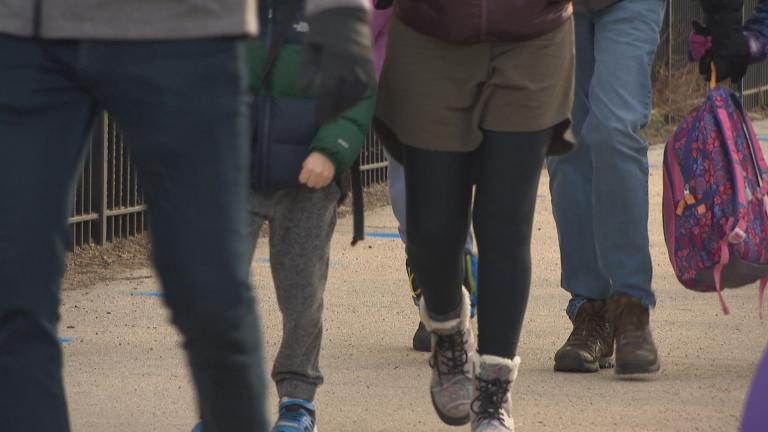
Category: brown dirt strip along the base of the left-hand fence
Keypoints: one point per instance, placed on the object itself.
(90, 264)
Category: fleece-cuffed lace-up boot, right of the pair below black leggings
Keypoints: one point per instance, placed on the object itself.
(492, 393)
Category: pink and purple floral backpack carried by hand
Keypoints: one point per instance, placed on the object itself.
(715, 207)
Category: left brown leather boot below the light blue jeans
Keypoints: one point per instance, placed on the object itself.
(589, 348)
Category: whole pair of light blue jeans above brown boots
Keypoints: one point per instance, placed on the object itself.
(600, 191)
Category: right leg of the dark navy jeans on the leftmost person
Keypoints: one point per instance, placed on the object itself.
(183, 106)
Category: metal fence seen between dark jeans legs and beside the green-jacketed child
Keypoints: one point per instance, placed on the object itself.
(108, 200)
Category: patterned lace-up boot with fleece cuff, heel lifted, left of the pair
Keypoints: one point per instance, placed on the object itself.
(451, 383)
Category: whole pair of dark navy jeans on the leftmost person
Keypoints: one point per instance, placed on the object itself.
(183, 108)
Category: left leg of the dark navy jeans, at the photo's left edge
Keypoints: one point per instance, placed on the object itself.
(44, 119)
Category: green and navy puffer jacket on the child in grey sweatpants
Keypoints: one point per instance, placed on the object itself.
(285, 131)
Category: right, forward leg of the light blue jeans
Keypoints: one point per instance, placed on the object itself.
(626, 39)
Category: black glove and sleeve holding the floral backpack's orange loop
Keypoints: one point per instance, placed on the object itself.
(730, 48)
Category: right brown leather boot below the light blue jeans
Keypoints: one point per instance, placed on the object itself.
(635, 351)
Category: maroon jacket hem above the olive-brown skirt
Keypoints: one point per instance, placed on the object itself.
(472, 21)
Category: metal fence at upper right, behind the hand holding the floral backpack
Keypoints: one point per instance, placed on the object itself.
(672, 62)
